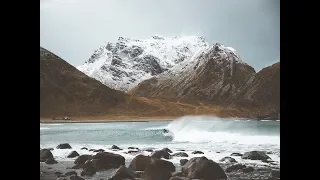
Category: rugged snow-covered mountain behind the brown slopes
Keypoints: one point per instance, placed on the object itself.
(126, 63)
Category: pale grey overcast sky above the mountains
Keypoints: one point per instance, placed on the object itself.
(73, 29)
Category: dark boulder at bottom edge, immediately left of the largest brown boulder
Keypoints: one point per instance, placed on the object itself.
(158, 169)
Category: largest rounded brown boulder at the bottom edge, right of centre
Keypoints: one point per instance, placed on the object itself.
(203, 168)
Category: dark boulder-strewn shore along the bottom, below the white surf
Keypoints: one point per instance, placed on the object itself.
(100, 164)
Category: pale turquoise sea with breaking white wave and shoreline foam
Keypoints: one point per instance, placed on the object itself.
(216, 137)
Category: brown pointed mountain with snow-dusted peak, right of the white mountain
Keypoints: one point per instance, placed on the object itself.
(214, 75)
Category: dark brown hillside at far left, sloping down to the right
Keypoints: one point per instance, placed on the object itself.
(66, 91)
